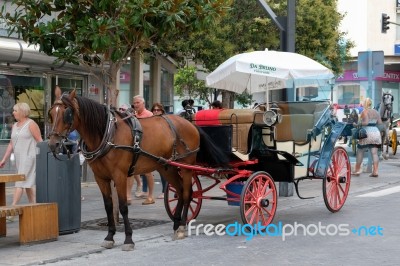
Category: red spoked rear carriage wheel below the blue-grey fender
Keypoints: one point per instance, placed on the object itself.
(336, 183)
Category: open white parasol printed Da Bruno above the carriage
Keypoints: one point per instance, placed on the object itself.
(261, 71)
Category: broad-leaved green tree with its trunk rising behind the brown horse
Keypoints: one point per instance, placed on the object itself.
(106, 32)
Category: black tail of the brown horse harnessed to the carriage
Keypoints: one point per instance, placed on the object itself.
(209, 153)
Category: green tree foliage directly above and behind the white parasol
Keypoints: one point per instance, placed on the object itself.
(247, 28)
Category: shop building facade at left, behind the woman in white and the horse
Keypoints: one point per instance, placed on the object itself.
(26, 75)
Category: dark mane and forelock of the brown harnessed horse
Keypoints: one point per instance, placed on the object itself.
(91, 113)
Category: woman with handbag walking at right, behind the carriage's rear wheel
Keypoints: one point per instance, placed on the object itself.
(369, 119)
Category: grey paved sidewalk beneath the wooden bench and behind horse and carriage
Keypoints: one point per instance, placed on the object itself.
(159, 226)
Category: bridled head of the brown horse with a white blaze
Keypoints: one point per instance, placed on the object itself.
(62, 119)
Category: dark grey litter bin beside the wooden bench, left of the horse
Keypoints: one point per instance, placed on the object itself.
(60, 181)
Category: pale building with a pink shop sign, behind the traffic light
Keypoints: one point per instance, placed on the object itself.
(363, 24)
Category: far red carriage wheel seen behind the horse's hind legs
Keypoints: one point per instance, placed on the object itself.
(171, 200)
